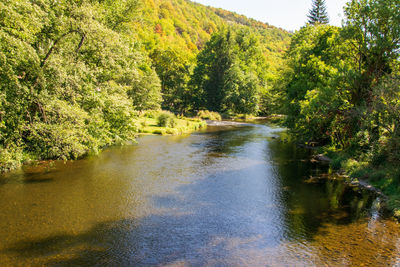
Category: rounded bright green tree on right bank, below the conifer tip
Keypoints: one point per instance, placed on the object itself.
(316, 93)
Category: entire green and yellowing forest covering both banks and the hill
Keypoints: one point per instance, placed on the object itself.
(77, 75)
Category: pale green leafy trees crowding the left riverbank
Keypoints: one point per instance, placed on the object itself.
(65, 89)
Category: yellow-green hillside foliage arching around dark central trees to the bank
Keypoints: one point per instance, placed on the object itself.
(173, 33)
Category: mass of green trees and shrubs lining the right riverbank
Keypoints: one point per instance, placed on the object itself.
(342, 90)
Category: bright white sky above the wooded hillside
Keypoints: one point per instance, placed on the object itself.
(286, 14)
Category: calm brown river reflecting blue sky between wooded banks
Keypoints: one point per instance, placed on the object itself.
(229, 196)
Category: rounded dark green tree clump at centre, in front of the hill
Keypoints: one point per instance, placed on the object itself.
(229, 73)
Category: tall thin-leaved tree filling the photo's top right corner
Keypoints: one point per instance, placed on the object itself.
(373, 29)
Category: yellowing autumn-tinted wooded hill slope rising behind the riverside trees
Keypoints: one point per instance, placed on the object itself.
(188, 26)
